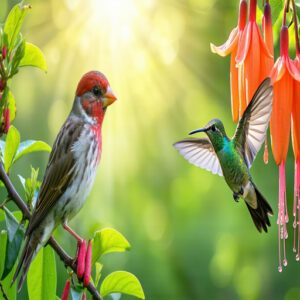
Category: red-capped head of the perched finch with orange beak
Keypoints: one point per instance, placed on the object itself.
(94, 94)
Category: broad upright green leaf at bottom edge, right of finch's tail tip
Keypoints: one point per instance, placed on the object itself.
(41, 278)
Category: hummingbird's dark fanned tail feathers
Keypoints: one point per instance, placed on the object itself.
(260, 214)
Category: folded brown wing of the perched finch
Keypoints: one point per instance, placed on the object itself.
(59, 172)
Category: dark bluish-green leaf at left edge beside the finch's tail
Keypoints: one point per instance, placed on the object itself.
(14, 241)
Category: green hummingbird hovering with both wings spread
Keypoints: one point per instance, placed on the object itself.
(232, 158)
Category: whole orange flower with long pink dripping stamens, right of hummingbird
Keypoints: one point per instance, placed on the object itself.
(283, 74)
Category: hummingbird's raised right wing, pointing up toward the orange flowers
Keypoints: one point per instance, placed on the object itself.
(253, 125)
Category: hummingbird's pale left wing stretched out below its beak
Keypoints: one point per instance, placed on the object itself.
(200, 153)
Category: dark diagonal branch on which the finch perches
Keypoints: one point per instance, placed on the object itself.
(67, 260)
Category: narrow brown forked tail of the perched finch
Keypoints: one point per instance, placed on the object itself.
(31, 247)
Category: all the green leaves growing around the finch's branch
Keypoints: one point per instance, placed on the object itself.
(16, 52)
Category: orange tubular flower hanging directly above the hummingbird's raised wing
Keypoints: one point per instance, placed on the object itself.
(252, 50)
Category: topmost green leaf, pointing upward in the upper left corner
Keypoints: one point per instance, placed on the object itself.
(14, 23)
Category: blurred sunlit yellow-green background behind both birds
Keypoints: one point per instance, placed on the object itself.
(189, 239)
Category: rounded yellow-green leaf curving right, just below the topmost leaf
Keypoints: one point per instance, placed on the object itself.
(33, 57)
